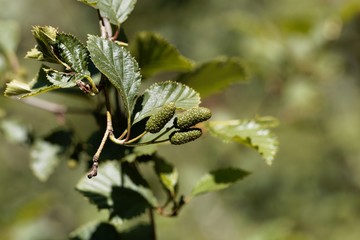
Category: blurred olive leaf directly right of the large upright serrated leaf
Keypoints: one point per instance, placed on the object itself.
(155, 55)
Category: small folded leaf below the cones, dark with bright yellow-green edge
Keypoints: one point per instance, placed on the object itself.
(167, 174)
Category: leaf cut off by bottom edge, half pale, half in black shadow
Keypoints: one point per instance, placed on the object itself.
(95, 230)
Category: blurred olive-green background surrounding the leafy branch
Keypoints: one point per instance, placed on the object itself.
(304, 60)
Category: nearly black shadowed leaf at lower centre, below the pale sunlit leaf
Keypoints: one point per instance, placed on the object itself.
(127, 203)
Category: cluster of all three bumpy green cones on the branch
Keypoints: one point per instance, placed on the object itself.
(184, 122)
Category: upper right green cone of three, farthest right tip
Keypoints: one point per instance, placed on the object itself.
(191, 117)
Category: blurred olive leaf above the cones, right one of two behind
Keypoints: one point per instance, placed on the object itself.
(214, 76)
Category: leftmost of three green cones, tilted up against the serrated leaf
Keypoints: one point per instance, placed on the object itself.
(157, 121)
